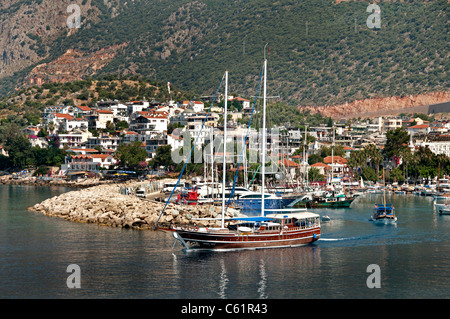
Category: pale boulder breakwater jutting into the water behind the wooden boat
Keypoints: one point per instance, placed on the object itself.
(104, 205)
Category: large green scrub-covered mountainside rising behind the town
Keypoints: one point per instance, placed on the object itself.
(321, 52)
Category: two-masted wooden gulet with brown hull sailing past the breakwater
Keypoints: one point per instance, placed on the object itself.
(278, 228)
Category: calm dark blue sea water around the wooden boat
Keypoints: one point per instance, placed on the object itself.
(412, 257)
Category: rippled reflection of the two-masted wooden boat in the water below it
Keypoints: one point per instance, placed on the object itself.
(249, 273)
